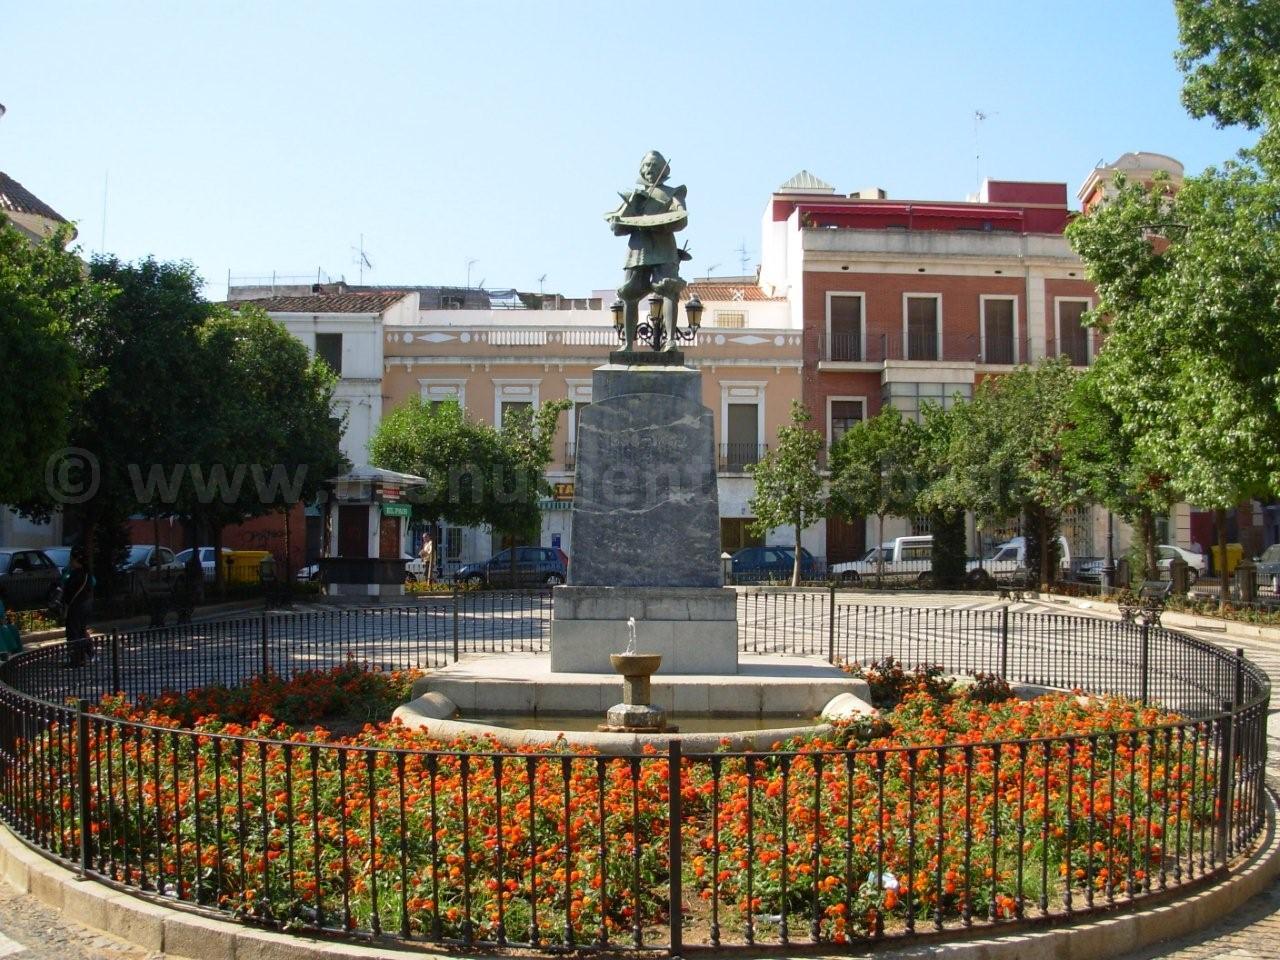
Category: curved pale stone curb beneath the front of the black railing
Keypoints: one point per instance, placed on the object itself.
(184, 935)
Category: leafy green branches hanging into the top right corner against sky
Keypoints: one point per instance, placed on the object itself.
(1228, 56)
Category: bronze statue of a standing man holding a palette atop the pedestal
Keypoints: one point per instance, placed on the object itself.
(651, 216)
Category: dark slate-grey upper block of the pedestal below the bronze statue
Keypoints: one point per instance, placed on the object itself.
(646, 506)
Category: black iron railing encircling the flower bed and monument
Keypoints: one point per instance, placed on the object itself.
(479, 847)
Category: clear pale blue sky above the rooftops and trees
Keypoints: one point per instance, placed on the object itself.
(269, 136)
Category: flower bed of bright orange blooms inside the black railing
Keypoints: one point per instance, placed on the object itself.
(947, 810)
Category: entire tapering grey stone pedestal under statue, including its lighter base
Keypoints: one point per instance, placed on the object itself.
(646, 529)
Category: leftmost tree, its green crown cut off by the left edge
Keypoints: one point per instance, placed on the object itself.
(43, 291)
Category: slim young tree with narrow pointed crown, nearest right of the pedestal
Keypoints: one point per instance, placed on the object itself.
(789, 486)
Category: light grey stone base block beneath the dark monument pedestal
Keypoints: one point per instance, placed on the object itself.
(693, 629)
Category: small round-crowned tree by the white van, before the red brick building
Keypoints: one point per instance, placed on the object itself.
(875, 470)
